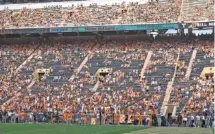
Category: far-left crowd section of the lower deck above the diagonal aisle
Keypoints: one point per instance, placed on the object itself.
(12, 56)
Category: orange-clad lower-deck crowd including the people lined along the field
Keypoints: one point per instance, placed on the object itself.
(55, 97)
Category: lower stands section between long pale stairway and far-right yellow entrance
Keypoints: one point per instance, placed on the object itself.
(184, 87)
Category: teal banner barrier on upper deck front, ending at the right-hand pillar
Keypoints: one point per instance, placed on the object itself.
(67, 29)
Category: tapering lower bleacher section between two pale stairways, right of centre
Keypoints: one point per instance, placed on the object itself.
(164, 69)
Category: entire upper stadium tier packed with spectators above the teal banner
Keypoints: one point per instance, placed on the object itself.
(47, 15)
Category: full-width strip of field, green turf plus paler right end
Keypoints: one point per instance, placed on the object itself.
(79, 129)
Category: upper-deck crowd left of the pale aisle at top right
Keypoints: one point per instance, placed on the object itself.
(132, 13)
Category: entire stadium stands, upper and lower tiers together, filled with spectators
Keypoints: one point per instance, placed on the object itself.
(61, 75)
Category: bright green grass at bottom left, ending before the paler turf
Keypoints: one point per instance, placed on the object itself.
(64, 129)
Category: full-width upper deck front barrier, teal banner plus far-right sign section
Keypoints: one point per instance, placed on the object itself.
(68, 28)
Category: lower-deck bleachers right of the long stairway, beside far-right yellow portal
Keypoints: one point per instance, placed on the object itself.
(184, 89)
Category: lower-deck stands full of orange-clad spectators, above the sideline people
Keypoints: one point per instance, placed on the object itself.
(121, 88)
